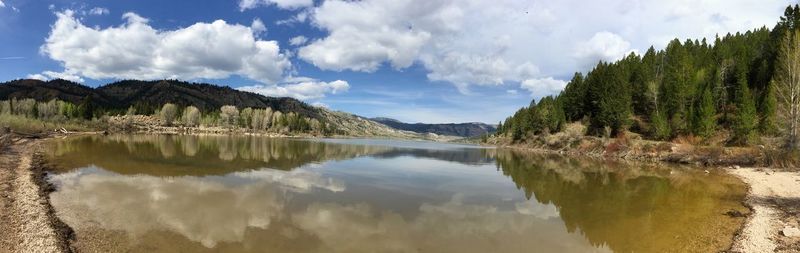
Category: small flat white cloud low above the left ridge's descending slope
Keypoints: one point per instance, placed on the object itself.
(304, 90)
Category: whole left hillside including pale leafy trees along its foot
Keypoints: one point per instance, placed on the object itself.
(27, 103)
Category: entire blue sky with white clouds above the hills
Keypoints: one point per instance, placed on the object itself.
(414, 60)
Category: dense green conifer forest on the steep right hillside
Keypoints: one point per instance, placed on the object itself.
(728, 86)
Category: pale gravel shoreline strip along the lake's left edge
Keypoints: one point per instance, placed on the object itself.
(26, 218)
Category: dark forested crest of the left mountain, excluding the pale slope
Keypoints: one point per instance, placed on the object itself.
(123, 94)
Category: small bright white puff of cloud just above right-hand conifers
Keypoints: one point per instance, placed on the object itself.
(605, 46)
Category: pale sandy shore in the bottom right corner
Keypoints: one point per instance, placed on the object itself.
(775, 199)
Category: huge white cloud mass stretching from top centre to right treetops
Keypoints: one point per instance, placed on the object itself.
(474, 42)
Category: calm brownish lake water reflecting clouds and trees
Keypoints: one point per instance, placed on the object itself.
(159, 193)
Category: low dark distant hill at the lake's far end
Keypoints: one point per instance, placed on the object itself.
(470, 129)
